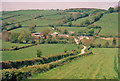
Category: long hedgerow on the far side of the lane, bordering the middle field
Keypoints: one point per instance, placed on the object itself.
(40, 60)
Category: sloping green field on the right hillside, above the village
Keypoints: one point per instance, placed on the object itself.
(109, 24)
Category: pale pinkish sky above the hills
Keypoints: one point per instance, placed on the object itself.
(11, 5)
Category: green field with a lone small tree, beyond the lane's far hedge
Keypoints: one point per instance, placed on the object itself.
(30, 52)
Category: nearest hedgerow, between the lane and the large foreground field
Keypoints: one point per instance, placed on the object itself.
(23, 73)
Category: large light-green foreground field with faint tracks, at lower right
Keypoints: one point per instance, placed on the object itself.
(101, 65)
